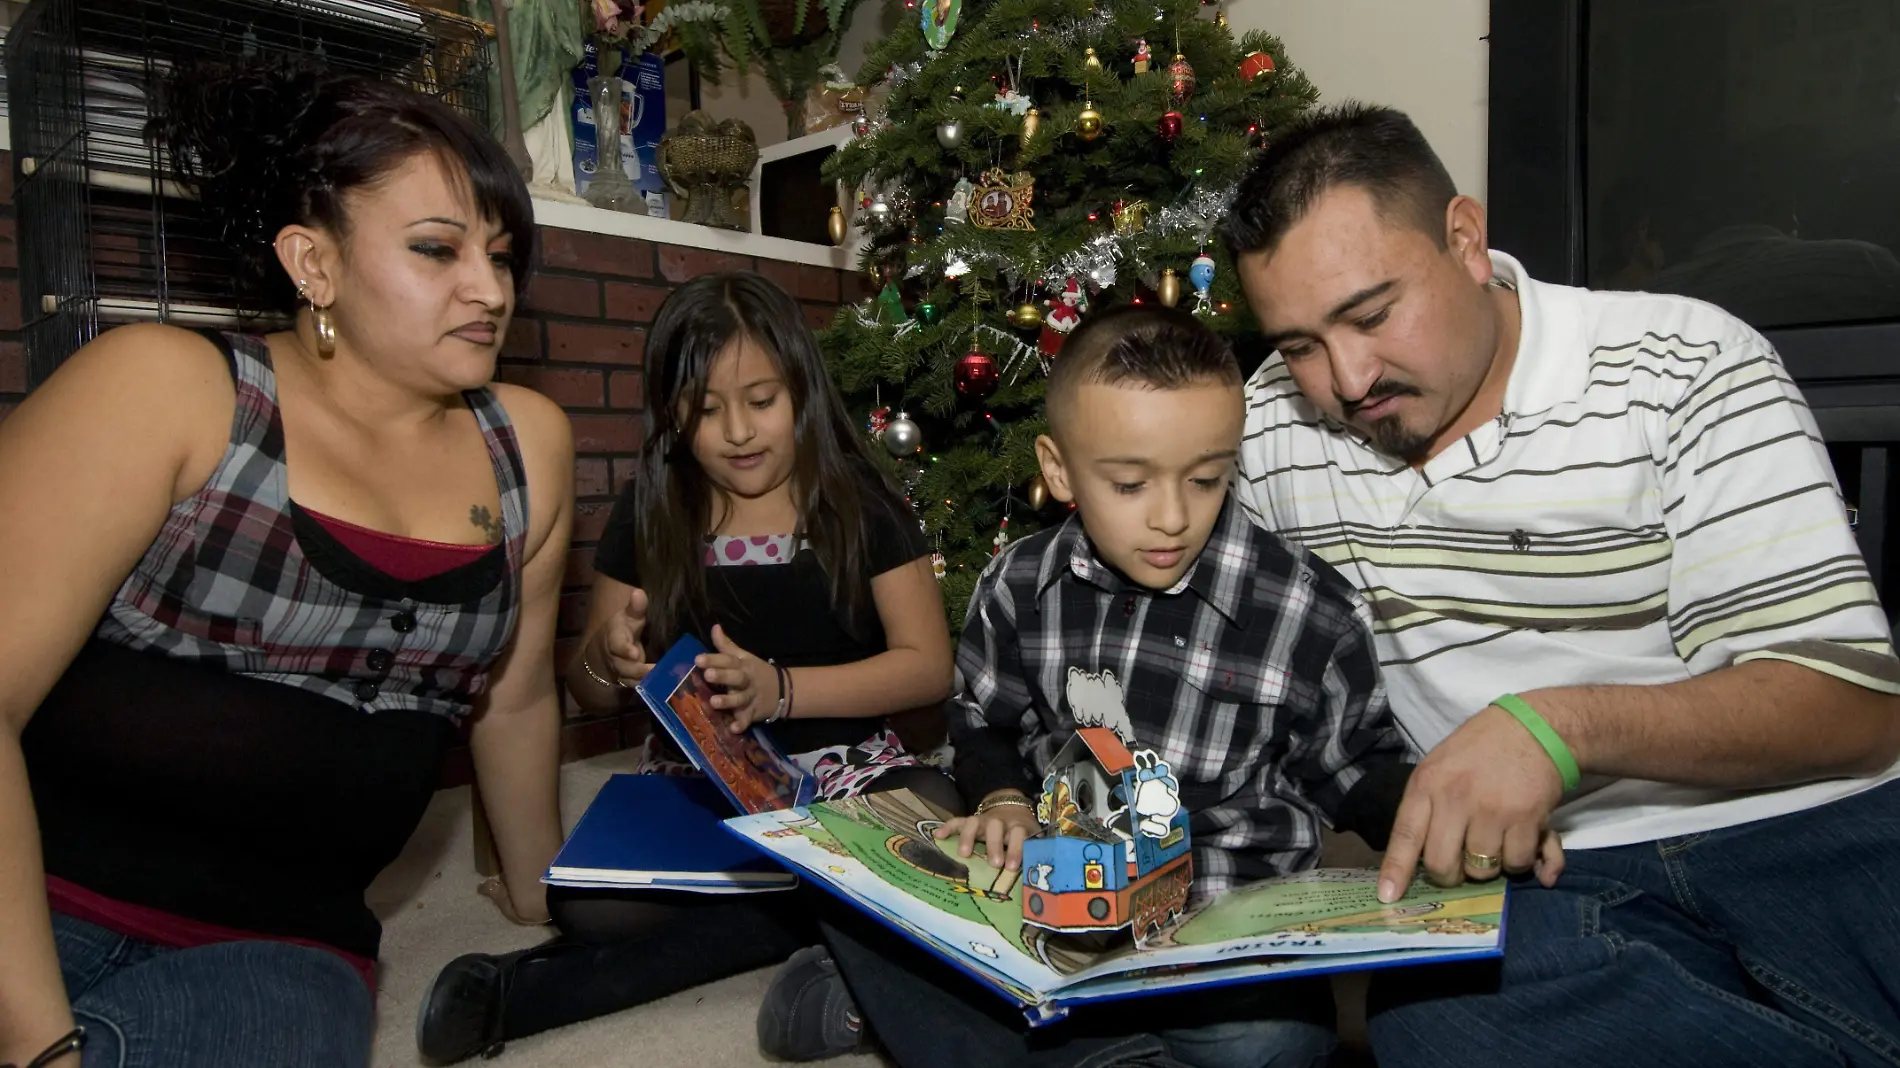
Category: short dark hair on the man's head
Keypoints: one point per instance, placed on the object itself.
(1352, 145)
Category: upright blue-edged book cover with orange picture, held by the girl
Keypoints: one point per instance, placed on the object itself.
(748, 767)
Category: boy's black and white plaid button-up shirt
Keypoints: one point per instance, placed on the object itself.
(1255, 677)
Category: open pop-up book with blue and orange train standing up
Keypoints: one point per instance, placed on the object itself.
(1114, 856)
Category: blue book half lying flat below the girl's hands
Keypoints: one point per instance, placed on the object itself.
(662, 833)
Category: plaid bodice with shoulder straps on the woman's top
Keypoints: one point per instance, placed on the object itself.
(240, 579)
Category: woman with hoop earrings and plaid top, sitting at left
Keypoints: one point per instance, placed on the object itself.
(250, 586)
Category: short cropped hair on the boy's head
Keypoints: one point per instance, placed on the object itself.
(1143, 345)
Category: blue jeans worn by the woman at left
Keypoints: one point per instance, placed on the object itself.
(254, 1004)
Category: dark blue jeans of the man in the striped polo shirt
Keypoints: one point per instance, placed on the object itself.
(1774, 944)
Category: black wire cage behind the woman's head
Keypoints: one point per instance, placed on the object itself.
(104, 237)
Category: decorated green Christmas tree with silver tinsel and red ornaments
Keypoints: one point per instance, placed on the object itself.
(1033, 161)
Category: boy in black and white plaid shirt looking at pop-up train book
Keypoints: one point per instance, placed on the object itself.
(1245, 664)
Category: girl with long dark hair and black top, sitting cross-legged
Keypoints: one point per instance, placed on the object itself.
(761, 525)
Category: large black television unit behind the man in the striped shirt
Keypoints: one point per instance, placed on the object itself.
(1745, 153)
